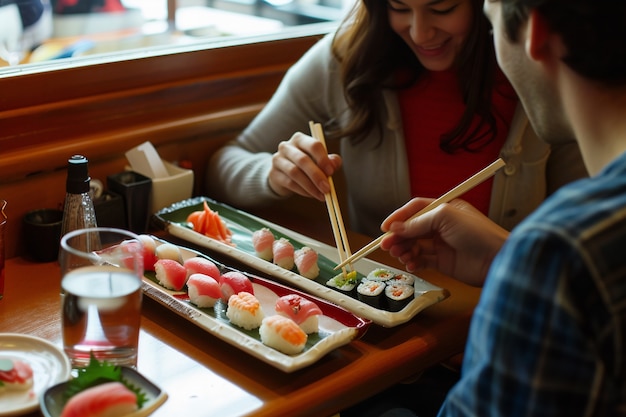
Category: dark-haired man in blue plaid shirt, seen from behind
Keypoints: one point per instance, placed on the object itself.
(548, 337)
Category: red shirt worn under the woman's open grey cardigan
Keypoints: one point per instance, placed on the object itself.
(434, 106)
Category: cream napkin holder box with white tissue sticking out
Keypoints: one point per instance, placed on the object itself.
(176, 187)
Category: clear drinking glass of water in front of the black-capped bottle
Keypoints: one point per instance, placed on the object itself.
(101, 272)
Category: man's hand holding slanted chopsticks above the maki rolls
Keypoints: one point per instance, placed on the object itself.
(454, 238)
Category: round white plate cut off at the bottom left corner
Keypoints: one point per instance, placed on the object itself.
(49, 363)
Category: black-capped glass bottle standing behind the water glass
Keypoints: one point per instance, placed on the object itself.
(78, 212)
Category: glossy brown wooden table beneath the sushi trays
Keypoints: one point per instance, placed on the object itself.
(205, 376)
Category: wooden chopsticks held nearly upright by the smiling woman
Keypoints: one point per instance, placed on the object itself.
(334, 212)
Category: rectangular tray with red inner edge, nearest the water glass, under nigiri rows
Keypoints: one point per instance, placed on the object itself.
(336, 326)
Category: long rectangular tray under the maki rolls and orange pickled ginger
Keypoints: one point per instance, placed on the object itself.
(240, 247)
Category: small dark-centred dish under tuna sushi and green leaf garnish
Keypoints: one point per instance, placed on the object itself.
(52, 401)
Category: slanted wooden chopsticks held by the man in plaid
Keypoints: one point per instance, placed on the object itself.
(457, 191)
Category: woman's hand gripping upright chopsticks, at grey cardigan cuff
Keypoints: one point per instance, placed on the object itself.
(302, 166)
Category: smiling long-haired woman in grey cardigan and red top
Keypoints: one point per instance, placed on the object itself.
(412, 92)
